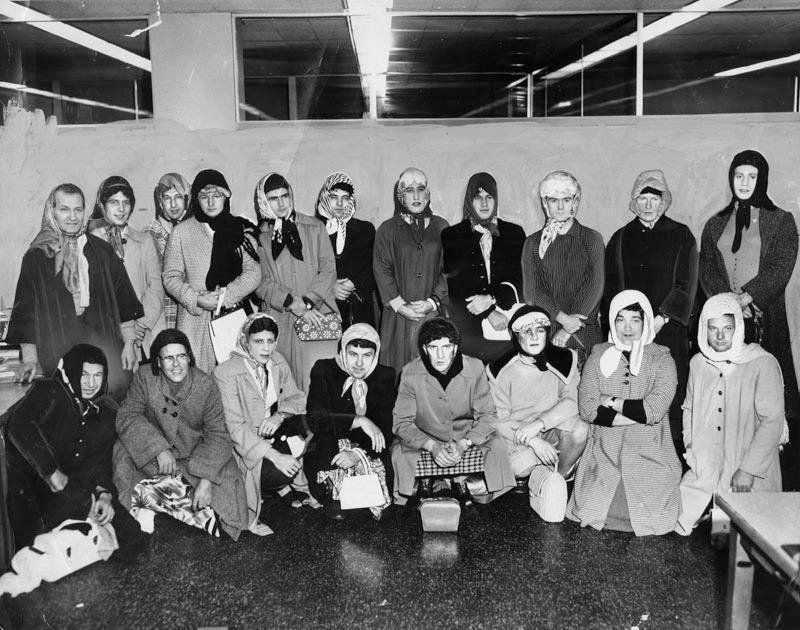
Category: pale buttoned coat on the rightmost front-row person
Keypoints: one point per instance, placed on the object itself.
(731, 421)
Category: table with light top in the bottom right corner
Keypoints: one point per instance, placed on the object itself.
(760, 523)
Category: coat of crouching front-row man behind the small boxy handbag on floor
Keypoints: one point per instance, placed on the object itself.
(423, 410)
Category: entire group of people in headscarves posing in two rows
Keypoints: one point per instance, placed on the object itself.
(490, 360)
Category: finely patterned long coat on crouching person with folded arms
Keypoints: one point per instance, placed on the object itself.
(639, 456)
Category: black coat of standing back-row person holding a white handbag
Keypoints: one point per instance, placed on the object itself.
(466, 276)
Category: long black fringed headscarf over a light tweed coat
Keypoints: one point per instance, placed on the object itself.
(232, 235)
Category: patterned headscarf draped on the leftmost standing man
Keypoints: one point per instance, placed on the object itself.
(66, 249)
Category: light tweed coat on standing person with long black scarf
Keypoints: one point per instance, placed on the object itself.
(186, 262)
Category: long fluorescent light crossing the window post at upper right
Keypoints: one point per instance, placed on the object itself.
(684, 15)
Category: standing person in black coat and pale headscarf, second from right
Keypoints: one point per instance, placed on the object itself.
(657, 256)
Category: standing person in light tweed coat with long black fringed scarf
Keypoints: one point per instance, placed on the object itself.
(210, 263)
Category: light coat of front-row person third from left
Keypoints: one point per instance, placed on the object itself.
(245, 410)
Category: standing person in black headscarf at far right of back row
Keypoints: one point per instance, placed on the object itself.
(750, 248)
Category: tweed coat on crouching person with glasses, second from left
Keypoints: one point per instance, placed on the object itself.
(191, 423)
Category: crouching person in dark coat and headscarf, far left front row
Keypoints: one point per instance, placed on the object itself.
(59, 441)
